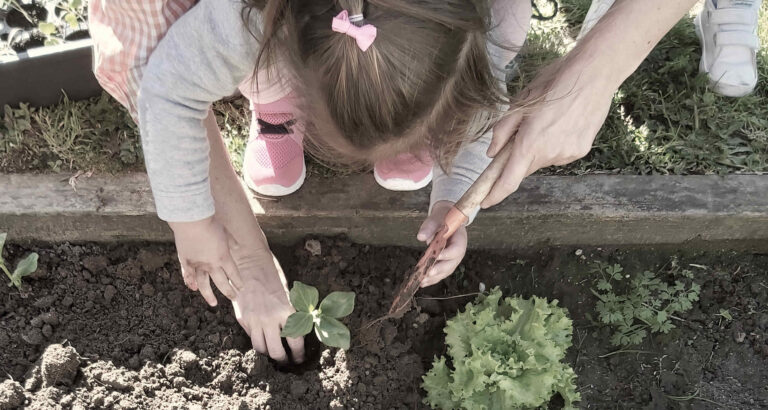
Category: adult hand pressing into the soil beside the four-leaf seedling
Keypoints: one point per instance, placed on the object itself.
(262, 305)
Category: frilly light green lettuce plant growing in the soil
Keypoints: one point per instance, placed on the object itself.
(503, 354)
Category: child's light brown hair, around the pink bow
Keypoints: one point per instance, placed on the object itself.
(427, 80)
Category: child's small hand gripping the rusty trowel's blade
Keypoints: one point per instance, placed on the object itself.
(454, 250)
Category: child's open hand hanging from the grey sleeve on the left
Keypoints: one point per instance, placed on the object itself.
(203, 249)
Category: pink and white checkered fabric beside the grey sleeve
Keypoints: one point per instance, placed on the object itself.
(125, 32)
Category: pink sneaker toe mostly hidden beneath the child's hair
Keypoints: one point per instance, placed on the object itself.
(405, 172)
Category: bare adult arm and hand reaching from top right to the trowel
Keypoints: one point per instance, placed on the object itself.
(557, 117)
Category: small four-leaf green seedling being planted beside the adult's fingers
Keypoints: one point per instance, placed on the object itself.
(323, 317)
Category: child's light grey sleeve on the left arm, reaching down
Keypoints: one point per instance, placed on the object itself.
(205, 55)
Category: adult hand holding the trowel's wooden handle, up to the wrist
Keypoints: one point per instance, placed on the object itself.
(554, 122)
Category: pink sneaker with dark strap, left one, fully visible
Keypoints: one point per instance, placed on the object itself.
(274, 157)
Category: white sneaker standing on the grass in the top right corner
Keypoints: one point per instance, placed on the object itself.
(728, 33)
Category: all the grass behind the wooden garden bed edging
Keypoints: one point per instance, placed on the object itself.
(664, 119)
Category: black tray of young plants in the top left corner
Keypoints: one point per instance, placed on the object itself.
(40, 61)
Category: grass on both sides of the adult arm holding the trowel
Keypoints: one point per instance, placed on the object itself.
(664, 118)
